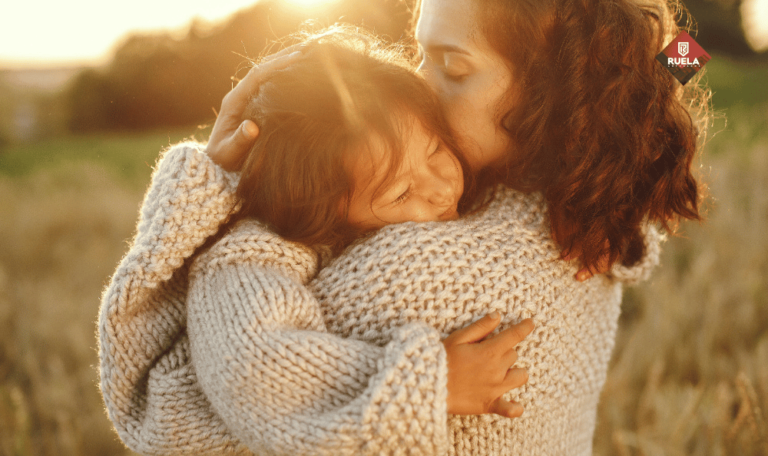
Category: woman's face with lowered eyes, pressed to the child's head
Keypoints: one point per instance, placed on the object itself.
(471, 79)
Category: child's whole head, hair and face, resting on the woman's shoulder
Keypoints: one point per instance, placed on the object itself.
(353, 140)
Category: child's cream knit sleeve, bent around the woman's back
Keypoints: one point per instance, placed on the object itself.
(282, 383)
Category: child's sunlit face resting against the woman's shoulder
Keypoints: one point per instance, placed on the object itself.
(426, 187)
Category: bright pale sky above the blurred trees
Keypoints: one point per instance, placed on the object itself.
(49, 33)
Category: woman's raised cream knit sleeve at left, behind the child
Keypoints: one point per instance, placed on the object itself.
(149, 387)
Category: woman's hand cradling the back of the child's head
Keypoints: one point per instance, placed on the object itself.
(232, 137)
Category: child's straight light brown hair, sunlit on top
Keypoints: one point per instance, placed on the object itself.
(347, 89)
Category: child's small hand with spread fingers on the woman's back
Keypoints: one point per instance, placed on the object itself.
(479, 373)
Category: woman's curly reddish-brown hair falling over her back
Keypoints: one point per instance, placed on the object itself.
(599, 126)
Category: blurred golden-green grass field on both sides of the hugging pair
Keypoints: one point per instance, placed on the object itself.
(689, 375)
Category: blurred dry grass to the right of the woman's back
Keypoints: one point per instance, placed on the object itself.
(690, 372)
